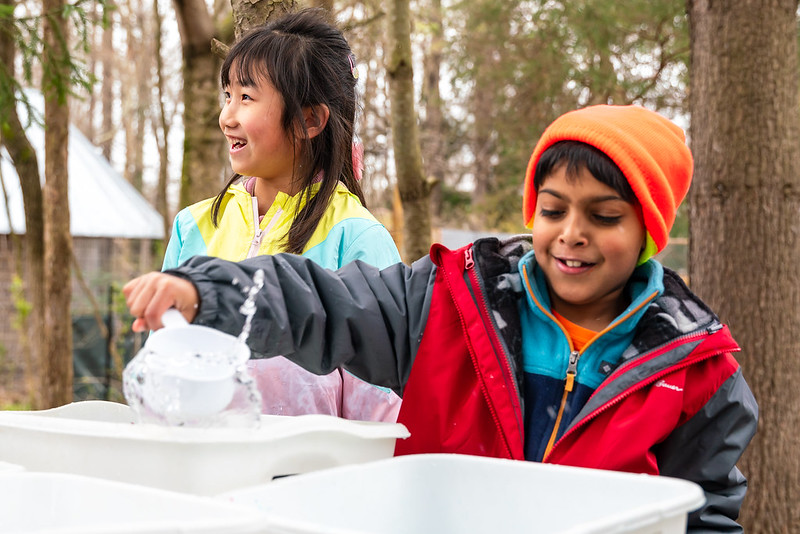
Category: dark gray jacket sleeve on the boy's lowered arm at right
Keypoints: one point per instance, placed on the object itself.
(695, 452)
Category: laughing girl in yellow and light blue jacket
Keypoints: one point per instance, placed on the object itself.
(288, 116)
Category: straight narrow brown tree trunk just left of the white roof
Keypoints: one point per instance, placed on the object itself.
(57, 357)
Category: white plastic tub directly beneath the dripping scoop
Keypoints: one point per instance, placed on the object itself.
(97, 438)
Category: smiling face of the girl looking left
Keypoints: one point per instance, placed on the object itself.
(251, 119)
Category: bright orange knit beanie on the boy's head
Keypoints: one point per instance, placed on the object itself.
(650, 151)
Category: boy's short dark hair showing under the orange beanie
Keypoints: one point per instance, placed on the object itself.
(578, 155)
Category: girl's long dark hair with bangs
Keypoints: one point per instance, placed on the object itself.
(309, 62)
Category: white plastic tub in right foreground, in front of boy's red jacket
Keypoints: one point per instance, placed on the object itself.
(443, 494)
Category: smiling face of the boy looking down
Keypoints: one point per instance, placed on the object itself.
(587, 241)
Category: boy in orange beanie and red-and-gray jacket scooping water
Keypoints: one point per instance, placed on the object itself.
(574, 348)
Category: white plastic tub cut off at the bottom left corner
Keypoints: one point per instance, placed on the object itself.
(58, 503)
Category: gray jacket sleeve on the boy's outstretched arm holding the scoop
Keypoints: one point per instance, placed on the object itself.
(361, 318)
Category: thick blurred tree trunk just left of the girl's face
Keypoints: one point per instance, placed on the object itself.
(203, 154)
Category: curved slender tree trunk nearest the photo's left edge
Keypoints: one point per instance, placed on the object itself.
(23, 155)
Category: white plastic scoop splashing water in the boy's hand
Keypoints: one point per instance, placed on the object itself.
(184, 372)
